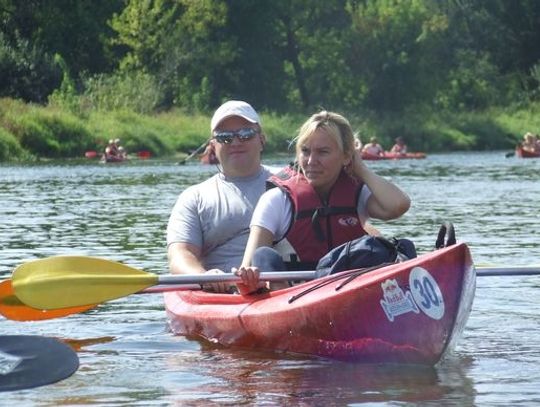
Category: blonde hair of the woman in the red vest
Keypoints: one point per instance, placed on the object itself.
(335, 125)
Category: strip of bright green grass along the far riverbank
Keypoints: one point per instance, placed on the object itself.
(31, 132)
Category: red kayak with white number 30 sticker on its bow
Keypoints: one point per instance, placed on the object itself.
(409, 312)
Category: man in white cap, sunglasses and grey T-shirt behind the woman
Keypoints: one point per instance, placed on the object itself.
(209, 224)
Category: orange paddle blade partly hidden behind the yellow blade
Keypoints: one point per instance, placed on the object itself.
(12, 308)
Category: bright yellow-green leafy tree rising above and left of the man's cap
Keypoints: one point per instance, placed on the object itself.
(177, 42)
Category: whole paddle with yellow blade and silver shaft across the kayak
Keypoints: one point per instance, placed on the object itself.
(69, 281)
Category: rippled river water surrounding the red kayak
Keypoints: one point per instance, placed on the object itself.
(128, 357)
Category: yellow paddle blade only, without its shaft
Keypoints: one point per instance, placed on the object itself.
(70, 281)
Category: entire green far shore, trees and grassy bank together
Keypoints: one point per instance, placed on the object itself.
(445, 76)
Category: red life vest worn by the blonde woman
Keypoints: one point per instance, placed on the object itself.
(317, 227)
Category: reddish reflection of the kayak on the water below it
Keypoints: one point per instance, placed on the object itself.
(276, 379)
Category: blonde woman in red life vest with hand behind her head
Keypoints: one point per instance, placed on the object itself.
(321, 203)
